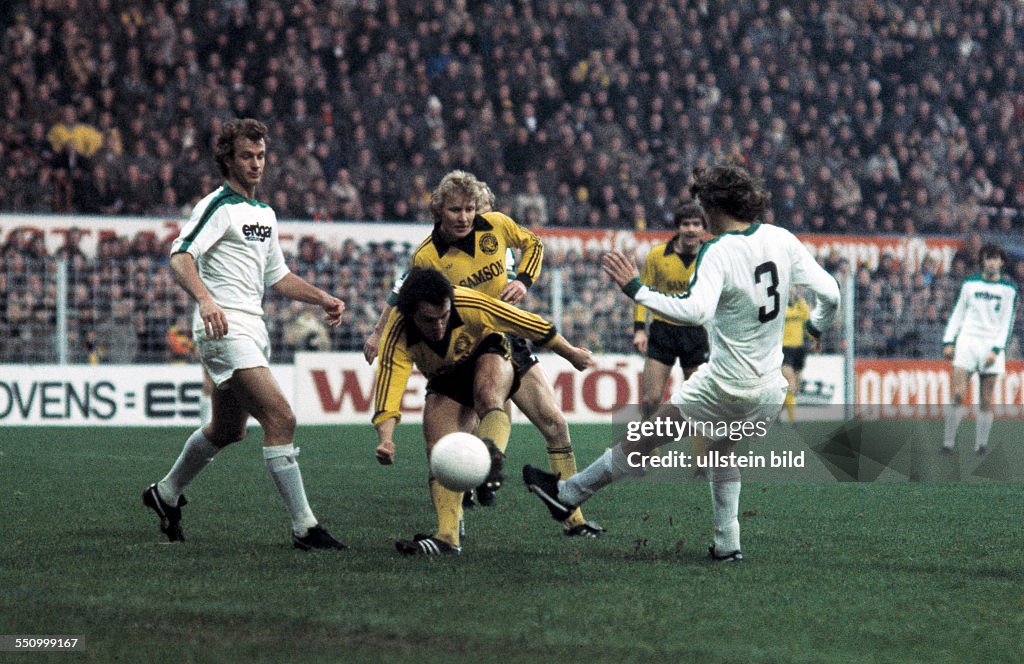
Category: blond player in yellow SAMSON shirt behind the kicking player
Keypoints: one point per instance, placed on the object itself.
(470, 248)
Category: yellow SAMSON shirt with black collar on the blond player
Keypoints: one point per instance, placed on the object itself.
(478, 261)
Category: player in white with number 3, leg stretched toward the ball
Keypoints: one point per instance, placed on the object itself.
(739, 292)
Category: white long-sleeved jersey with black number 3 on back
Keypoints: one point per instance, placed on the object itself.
(739, 292)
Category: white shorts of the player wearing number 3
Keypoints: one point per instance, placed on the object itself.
(724, 409)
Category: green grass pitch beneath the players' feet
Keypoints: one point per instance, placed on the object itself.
(835, 572)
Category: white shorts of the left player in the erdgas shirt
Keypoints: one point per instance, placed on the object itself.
(247, 345)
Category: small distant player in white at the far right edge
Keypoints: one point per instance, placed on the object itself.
(976, 340)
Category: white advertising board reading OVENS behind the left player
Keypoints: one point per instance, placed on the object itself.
(107, 395)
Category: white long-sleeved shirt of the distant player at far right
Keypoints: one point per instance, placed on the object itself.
(985, 313)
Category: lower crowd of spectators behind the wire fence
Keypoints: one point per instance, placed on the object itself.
(124, 307)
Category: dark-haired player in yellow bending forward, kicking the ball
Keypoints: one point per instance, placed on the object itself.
(457, 338)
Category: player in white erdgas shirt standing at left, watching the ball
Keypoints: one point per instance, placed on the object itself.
(227, 256)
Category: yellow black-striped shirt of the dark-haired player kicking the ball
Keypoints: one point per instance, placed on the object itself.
(475, 318)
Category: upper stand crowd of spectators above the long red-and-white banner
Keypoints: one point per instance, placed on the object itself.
(863, 117)
